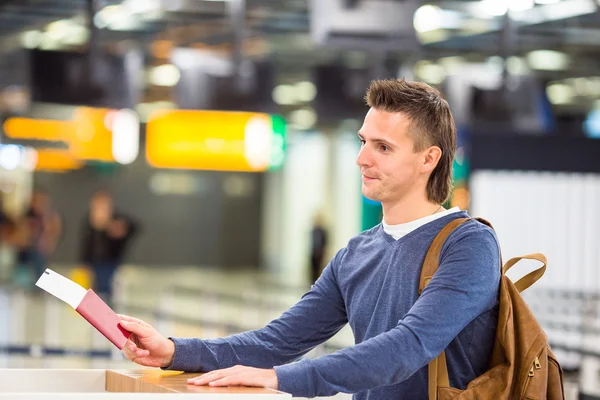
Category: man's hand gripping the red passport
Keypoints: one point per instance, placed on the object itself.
(146, 346)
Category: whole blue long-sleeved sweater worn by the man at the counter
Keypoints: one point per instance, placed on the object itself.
(372, 284)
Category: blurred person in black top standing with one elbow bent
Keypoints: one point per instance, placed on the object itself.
(105, 237)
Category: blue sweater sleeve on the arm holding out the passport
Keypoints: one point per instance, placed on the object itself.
(318, 316)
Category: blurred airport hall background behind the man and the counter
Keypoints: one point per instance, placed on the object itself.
(194, 160)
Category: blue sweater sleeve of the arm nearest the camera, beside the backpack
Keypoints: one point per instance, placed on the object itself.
(465, 286)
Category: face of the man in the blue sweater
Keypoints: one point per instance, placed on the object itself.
(389, 166)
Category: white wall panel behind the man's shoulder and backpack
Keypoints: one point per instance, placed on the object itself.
(552, 213)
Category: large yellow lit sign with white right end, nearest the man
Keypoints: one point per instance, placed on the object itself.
(209, 140)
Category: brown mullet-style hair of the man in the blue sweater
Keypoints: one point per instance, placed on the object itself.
(431, 124)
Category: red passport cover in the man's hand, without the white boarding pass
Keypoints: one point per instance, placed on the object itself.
(103, 318)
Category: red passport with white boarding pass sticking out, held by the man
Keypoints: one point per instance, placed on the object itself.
(87, 303)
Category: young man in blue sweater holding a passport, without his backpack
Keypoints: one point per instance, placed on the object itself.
(408, 142)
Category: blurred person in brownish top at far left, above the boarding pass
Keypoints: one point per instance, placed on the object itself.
(37, 236)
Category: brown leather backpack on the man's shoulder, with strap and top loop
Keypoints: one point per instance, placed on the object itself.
(522, 366)
